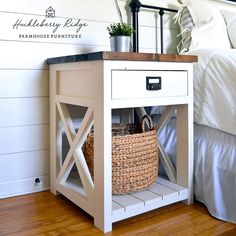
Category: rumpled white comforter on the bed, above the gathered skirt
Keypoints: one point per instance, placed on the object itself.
(215, 89)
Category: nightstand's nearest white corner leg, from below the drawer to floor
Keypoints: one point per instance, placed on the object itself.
(102, 169)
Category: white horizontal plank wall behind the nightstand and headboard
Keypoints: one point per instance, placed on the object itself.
(24, 77)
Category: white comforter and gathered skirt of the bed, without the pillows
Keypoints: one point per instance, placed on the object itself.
(214, 132)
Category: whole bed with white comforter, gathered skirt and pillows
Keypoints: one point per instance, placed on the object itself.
(214, 104)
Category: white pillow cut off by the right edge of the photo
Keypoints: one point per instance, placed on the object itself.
(230, 19)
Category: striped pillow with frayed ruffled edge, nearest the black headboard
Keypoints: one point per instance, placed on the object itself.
(186, 25)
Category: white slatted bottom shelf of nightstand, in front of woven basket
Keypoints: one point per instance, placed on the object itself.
(162, 193)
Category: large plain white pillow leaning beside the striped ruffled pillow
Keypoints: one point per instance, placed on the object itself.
(209, 29)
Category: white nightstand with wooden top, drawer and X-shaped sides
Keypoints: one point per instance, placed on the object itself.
(99, 84)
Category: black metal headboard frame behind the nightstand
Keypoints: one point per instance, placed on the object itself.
(135, 6)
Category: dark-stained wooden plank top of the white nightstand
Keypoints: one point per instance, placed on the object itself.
(129, 56)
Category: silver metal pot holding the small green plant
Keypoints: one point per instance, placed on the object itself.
(120, 43)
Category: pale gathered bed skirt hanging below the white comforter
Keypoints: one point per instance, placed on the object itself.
(214, 168)
